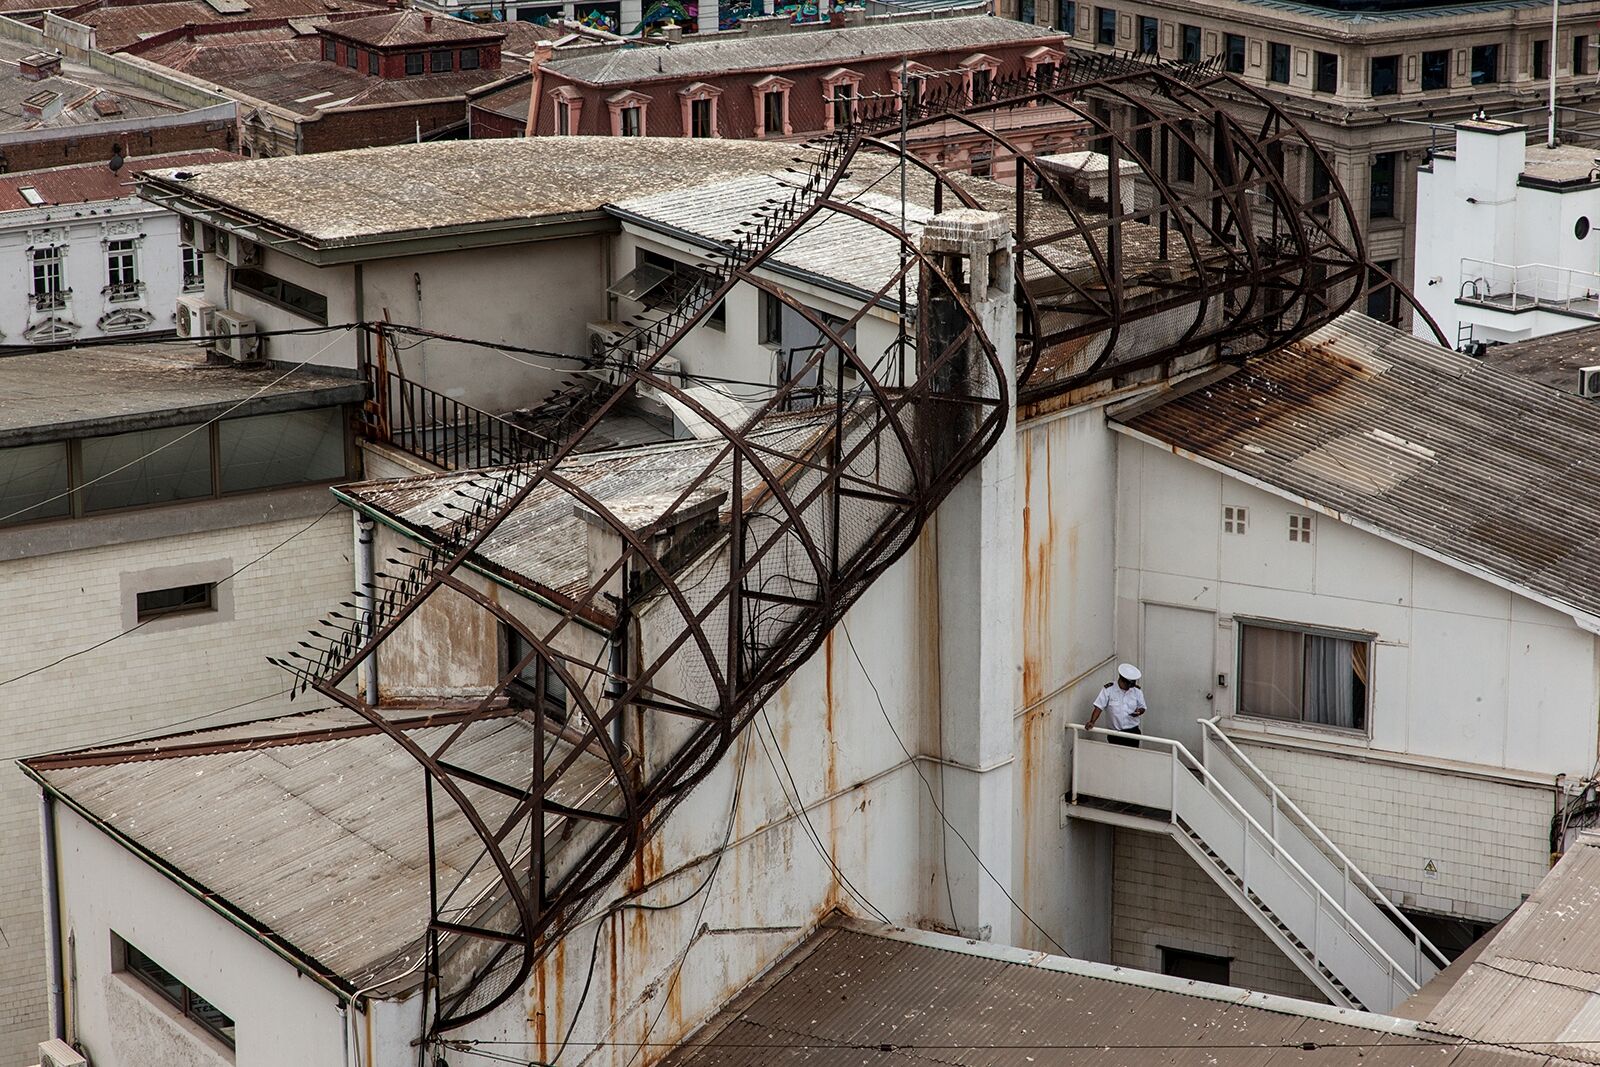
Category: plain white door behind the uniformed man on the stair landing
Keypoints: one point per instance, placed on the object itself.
(1178, 665)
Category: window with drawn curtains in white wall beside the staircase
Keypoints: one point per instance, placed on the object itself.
(1305, 676)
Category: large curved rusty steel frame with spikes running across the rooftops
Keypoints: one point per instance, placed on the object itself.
(812, 506)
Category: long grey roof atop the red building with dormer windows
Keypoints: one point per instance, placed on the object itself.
(777, 52)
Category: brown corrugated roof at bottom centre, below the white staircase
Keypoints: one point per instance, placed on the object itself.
(855, 996)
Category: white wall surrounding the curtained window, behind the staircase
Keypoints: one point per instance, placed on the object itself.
(1479, 698)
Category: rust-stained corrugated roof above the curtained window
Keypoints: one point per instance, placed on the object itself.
(1433, 449)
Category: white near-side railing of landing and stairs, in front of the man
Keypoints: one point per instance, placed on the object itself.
(1162, 775)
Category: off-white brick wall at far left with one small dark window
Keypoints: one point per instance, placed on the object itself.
(164, 677)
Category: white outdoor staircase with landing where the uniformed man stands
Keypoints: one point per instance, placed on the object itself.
(1265, 853)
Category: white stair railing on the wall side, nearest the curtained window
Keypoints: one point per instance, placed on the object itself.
(1321, 857)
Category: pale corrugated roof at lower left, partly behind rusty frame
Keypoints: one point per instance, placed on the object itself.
(311, 826)
